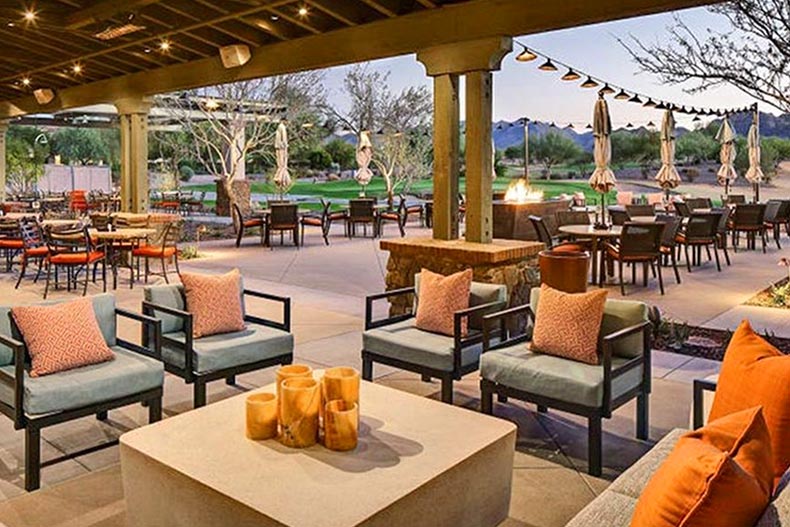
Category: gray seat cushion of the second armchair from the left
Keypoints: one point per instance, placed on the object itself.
(217, 352)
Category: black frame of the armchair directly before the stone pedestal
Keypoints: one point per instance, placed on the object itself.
(473, 338)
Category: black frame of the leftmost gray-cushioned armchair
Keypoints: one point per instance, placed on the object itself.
(34, 424)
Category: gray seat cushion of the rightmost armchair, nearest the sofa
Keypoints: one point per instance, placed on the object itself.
(549, 376)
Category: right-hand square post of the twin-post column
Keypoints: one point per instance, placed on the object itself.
(479, 157)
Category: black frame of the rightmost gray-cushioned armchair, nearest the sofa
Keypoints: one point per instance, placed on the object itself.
(497, 323)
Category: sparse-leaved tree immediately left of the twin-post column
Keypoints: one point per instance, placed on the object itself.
(400, 125)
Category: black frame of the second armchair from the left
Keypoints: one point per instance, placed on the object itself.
(200, 380)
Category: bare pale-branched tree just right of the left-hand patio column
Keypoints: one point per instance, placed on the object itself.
(230, 122)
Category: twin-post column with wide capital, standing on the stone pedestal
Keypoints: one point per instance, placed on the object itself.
(475, 59)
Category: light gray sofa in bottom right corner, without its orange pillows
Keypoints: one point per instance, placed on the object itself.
(614, 507)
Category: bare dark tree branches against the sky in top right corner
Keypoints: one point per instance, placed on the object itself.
(753, 55)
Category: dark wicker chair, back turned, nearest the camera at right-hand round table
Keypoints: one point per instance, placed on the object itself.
(639, 243)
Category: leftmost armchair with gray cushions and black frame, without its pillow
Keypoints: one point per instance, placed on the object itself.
(33, 403)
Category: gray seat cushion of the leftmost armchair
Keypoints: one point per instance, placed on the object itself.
(128, 374)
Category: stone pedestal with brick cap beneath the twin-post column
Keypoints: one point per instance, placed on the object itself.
(510, 262)
